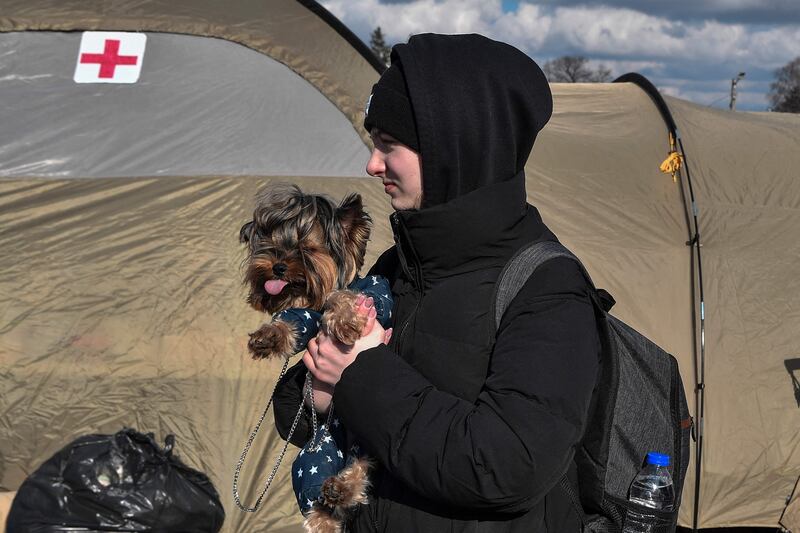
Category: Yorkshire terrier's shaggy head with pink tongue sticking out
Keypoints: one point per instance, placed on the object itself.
(302, 247)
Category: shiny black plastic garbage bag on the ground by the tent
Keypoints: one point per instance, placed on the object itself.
(121, 482)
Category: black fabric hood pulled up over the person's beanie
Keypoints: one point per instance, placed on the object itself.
(478, 105)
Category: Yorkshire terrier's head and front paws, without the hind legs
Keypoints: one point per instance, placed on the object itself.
(304, 252)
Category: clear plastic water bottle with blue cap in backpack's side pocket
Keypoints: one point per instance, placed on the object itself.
(652, 488)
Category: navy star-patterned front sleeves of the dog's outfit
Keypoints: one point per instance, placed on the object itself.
(306, 321)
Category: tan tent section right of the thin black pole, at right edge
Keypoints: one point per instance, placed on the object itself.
(746, 186)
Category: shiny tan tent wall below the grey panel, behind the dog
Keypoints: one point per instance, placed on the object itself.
(121, 304)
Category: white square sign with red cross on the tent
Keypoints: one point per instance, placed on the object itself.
(110, 57)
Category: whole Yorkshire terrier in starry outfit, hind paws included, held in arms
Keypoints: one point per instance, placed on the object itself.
(304, 256)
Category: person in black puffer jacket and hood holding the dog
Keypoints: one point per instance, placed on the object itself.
(472, 428)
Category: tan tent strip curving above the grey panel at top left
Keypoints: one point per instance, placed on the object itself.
(285, 30)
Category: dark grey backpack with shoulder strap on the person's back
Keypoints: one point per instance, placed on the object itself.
(638, 406)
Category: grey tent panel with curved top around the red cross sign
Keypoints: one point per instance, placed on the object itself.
(223, 109)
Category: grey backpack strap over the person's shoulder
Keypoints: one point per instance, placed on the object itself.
(521, 267)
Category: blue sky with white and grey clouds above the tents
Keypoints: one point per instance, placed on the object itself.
(688, 48)
